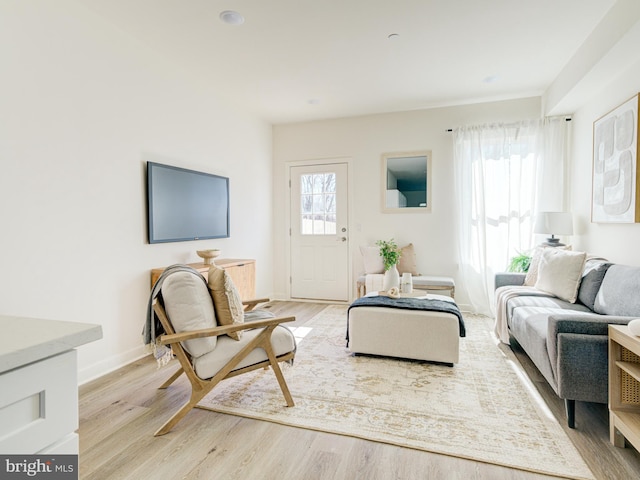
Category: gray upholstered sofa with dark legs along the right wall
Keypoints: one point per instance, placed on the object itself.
(568, 342)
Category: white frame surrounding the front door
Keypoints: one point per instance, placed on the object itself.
(311, 163)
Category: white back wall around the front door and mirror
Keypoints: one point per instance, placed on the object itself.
(364, 140)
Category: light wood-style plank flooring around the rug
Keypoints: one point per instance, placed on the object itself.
(120, 411)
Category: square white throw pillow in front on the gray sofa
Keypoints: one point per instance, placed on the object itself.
(560, 272)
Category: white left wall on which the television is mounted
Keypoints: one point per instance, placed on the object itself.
(82, 107)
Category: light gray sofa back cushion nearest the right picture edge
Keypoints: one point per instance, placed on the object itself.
(618, 294)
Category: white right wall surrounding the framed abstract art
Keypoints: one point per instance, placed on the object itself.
(617, 242)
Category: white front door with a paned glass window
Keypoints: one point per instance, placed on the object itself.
(319, 237)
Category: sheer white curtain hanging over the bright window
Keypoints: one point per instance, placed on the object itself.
(500, 173)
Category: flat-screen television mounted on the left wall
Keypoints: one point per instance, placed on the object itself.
(186, 205)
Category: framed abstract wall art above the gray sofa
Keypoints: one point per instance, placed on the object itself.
(615, 195)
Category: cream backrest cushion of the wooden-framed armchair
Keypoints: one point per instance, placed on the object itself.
(189, 307)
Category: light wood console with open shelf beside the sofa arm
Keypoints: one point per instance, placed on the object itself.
(624, 386)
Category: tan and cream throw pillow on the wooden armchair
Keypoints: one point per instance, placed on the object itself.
(226, 299)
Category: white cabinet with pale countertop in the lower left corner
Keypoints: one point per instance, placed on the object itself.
(39, 384)
